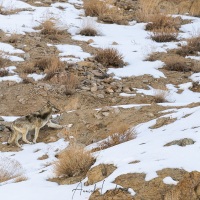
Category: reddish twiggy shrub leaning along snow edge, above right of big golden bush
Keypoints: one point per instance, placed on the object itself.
(120, 134)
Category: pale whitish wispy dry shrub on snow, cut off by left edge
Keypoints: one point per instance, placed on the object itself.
(9, 169)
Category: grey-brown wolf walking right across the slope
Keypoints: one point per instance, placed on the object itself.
(34, 121)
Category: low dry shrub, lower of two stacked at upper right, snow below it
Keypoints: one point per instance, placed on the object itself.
(164, 35)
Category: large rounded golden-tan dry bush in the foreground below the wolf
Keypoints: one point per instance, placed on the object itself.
(73, 161)
